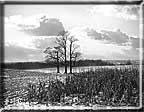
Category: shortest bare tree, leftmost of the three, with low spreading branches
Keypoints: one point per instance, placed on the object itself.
(53, 54)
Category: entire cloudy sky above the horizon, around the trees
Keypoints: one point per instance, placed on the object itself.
(103, 31)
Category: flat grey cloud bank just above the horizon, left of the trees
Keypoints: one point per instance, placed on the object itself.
(17, 53)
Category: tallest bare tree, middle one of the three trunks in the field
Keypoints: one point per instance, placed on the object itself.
(62, 42)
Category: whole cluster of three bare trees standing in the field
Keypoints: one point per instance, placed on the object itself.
(66, 49)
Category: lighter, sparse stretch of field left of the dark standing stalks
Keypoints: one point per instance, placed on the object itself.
(16, 81)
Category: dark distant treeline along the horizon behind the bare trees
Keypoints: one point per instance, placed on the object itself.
(48, 64)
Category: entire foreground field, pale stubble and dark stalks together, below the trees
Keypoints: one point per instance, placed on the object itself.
(107, 87)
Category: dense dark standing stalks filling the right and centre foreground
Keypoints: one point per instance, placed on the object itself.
(108, 87)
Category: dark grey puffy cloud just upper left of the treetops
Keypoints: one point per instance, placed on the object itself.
(47, 27)
